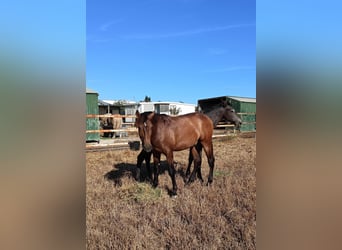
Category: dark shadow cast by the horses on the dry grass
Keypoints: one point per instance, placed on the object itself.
(122, 170)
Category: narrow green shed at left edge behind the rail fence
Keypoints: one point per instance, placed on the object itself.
(92, 109)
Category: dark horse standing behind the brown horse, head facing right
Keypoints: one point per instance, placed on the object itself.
(223, 111)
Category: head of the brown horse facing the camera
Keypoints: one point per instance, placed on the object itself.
(144, 124)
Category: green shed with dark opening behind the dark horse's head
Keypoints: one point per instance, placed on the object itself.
(244, 106)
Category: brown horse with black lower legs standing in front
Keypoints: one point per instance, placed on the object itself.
(164, 134)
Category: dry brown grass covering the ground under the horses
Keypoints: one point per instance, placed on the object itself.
(125, 214)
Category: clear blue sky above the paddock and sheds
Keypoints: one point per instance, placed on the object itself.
(171, 50)
